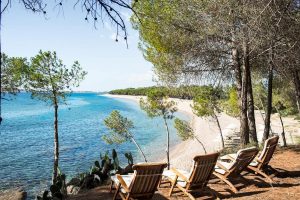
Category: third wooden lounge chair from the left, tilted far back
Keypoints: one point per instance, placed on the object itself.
(225, 171)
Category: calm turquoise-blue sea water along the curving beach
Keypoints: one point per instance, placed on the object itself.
(26, 144)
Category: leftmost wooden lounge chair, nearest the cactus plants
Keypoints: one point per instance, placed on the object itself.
(141, 184)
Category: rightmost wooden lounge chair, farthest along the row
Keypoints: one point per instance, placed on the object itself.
(261, 163)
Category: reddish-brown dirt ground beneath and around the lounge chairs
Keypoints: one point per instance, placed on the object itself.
(286, 183)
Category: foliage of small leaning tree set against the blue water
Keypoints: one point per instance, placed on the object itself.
(119, 128)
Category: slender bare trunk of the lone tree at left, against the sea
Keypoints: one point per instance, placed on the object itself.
(56, 144)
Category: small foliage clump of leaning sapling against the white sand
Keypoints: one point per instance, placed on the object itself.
(184, 130)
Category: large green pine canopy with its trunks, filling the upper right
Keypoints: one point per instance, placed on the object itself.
(221, 43)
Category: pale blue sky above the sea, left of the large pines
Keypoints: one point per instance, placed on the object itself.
(109, 64)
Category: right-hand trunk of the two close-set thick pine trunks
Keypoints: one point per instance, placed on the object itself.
(251, 113)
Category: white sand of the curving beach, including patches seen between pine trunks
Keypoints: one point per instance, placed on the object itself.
(208, 133)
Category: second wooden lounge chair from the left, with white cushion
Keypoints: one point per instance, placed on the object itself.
(196, 179)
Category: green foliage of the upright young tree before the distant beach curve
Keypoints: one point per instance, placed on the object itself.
(157, 104)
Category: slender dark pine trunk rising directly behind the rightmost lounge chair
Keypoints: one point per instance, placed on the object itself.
(269, 98)
